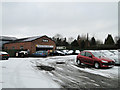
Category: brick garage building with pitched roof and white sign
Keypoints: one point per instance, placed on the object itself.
(32, 44)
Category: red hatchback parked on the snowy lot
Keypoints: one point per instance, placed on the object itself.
(95, 59)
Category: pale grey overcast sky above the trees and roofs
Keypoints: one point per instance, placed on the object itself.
(70, 19)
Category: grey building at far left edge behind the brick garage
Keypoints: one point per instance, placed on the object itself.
(5, 39)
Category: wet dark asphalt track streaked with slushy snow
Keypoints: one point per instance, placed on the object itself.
(67, 76)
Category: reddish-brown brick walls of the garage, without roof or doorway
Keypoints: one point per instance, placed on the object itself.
(31, 45)
